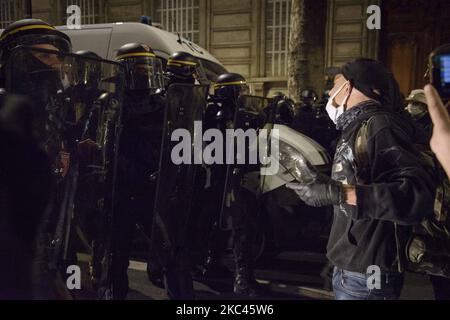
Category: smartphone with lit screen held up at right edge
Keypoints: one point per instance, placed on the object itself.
(439, 64)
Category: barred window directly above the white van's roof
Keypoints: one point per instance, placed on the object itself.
(179, 16)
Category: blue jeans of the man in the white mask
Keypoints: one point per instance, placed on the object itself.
(348, 285)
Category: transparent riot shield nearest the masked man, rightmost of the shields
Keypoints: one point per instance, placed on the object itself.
(241, 204)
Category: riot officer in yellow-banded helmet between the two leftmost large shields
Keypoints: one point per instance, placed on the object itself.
(140, 140)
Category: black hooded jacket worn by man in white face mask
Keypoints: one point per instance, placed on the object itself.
(394, 192)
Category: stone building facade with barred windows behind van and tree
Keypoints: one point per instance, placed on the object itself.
(251, 37)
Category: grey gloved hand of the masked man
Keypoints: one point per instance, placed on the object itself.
(322, 191)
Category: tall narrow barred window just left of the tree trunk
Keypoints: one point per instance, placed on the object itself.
(277, 37)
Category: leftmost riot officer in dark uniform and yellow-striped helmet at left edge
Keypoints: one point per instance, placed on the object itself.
(33, 155)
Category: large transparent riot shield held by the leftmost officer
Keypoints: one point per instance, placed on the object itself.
(77, 109)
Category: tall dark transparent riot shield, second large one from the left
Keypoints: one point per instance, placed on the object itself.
(185, 106)
